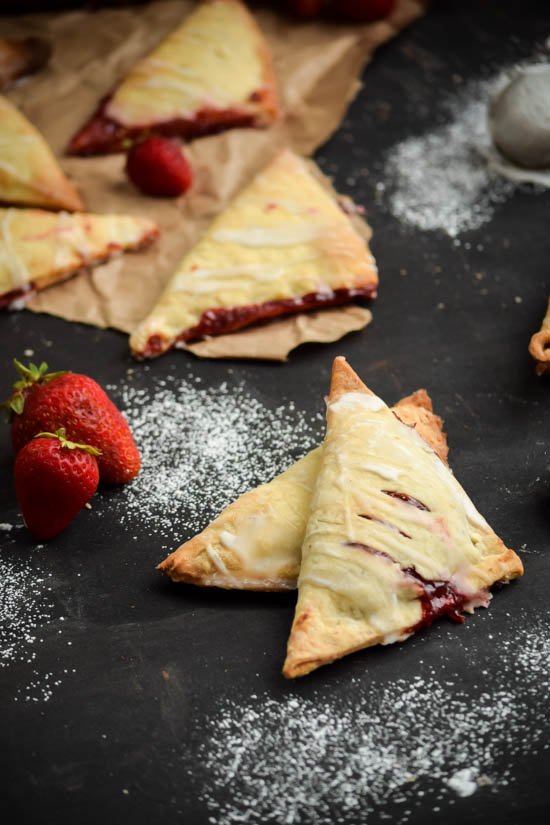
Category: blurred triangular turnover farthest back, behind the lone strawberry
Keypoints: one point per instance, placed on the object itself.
(212, 73)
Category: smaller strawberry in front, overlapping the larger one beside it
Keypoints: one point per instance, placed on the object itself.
(54, 479)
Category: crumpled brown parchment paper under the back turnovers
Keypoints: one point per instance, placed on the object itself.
(317, 65)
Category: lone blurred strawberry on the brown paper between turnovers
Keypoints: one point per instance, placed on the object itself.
(157, 166)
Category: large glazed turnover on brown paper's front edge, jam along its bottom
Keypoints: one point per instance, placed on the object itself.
(282, 245)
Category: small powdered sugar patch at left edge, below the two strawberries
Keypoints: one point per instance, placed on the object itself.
(25, 606)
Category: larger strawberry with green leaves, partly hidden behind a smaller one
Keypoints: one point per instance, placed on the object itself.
(44, 401)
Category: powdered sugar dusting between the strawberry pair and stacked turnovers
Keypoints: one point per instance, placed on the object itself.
(201, 448)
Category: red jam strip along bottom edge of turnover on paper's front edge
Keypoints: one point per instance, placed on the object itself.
(231, 319)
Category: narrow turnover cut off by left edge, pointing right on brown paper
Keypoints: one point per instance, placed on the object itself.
(39, 248)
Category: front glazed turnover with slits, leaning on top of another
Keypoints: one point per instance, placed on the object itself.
(392, 541)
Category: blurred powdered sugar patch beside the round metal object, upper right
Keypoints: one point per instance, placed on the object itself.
(441, 179)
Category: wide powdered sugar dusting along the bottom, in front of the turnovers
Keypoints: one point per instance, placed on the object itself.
(404, 743)
